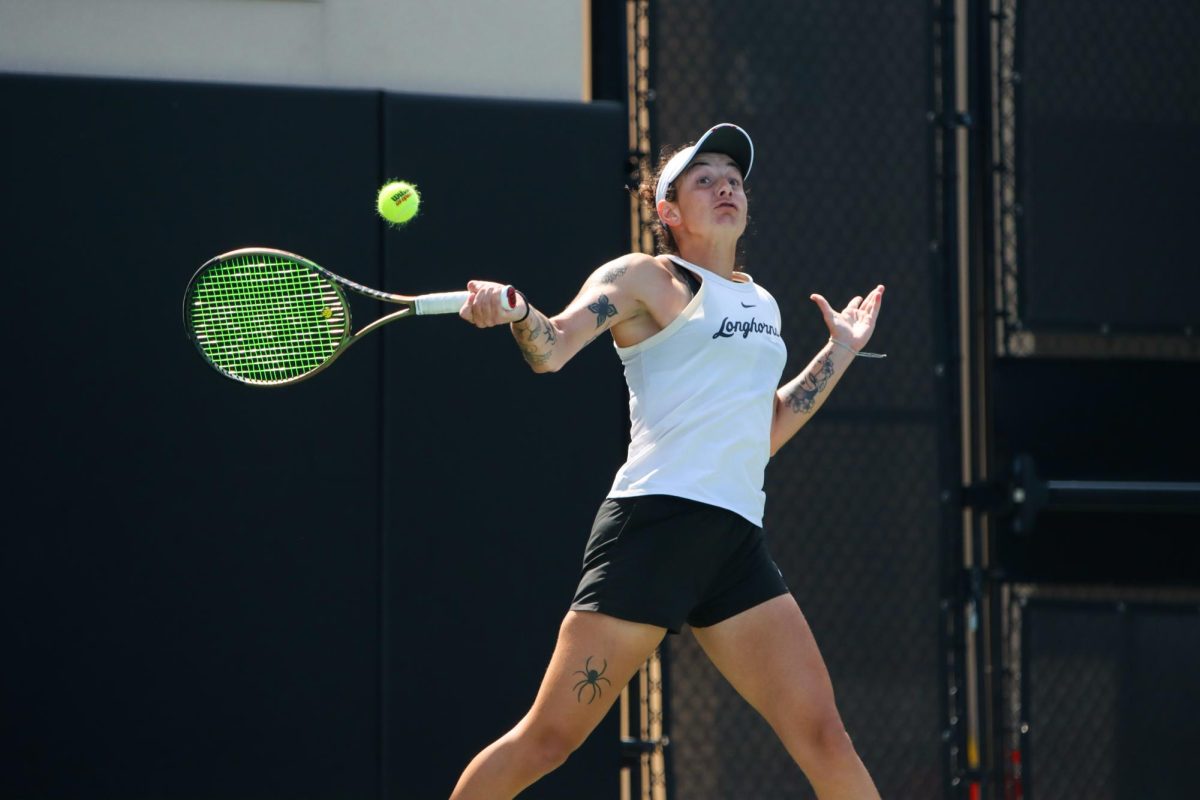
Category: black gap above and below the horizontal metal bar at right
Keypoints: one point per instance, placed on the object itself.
(1099, 420)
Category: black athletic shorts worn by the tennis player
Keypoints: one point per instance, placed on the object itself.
(667, 561)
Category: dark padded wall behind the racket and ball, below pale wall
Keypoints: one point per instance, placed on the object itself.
(339, 590)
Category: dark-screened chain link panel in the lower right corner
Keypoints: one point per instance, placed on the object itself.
(1102, 689)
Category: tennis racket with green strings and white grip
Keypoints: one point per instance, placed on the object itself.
(269, 318)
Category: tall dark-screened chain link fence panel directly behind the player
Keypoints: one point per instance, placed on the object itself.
(836, 98)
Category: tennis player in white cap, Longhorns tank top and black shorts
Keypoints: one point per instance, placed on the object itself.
(680, 538)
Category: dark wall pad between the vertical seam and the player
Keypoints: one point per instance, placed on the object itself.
(493, 474)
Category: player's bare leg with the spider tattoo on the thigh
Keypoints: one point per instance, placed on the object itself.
(595, 659)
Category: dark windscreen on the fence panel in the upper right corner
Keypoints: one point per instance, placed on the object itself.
(1109, 165)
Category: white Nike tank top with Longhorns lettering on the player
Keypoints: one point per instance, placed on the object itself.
(703, 396)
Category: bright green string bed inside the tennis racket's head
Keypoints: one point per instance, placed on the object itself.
(267, 318)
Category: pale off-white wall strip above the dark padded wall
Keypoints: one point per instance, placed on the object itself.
(501, 49)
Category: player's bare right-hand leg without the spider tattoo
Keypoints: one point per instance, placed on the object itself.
(770, 657)
